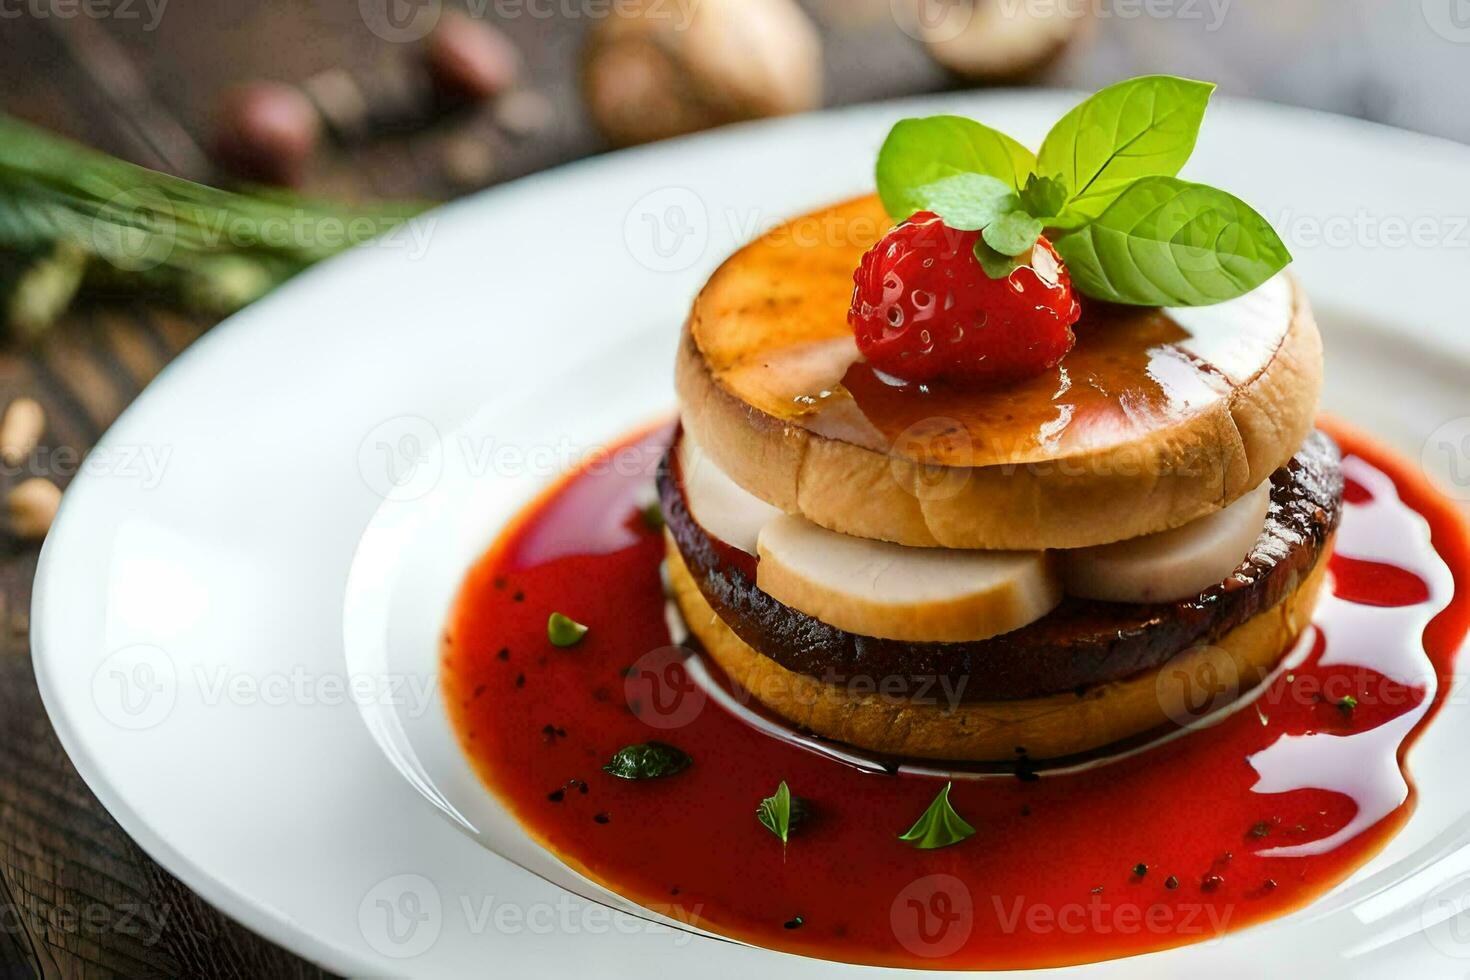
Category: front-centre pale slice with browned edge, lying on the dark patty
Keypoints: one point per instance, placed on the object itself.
(875, 588)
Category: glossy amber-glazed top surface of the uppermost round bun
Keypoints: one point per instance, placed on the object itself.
(772, 328)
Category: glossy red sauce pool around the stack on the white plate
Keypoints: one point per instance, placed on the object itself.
(1050, 876)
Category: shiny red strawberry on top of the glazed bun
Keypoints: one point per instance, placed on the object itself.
(925, 311)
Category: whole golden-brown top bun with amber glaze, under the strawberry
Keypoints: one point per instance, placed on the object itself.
(1147, 424)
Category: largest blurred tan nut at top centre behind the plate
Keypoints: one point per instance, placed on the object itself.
(664, 68)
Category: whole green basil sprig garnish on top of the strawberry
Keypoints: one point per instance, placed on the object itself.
(1103, 189)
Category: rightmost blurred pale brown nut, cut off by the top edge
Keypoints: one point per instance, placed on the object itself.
(994, 40)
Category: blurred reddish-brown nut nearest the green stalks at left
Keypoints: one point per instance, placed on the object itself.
(267, 131)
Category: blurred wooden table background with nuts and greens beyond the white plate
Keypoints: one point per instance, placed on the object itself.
(376, 109)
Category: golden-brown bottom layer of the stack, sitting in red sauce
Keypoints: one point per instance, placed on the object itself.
(1044, 728)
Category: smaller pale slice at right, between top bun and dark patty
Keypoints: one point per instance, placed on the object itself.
(1172, 565)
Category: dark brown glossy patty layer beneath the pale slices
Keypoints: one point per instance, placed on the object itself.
(1080, 644)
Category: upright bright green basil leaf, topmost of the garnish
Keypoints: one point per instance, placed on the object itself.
(1144, 127)
